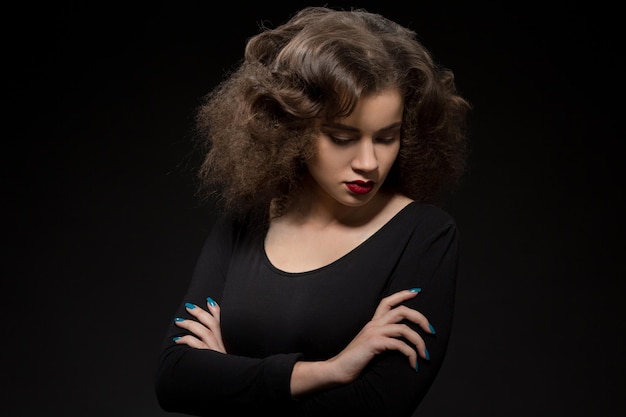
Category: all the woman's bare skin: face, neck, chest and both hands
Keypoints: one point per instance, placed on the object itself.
(328, 221)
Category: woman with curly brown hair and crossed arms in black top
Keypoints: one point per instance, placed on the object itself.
(327, 286)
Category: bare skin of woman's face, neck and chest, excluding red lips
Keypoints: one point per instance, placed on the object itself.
(329, 220)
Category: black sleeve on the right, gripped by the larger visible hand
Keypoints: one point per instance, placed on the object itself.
(389, 386)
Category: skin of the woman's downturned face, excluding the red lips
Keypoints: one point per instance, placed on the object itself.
(362, 146)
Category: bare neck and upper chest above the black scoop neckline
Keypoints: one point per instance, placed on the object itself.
(297, 246)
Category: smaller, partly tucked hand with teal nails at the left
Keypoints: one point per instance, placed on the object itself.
(207, 333)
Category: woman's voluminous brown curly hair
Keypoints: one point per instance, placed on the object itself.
(258, 127)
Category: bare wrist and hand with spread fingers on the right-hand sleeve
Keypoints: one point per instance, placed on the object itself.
(382, 333)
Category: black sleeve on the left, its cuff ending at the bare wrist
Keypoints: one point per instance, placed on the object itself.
(200, 382)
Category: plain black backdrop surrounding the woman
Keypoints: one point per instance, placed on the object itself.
(103, 227)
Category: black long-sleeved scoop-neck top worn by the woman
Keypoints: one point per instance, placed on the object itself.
(271, 319)
